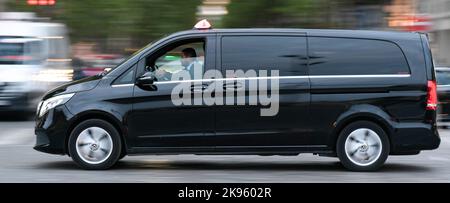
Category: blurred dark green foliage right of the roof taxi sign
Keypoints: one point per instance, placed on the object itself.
(290, 13)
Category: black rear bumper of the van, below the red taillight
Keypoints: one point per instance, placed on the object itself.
(410, 138)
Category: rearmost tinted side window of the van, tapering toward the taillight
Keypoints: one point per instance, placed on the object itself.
(342, 56)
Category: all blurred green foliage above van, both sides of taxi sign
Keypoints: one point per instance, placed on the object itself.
(143, 21)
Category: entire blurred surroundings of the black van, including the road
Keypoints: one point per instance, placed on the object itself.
(44, 43)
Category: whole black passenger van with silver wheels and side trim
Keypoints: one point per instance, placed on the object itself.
(356, 95)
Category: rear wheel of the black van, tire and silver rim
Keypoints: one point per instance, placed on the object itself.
(363, 146)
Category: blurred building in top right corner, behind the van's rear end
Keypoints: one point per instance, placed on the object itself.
(439, 12)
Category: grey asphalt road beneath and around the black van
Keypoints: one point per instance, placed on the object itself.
(20, 163)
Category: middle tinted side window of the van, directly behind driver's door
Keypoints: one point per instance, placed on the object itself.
(284, 53)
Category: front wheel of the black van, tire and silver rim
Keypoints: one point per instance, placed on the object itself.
(95, 145)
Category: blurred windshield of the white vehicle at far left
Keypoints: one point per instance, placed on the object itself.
(20, 53)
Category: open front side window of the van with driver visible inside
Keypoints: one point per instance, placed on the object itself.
(189, 56)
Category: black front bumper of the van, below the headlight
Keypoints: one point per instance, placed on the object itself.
(52, 129)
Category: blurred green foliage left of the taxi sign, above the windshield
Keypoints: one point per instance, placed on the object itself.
(143, 20)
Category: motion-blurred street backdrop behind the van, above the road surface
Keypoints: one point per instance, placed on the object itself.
(55, 41)
